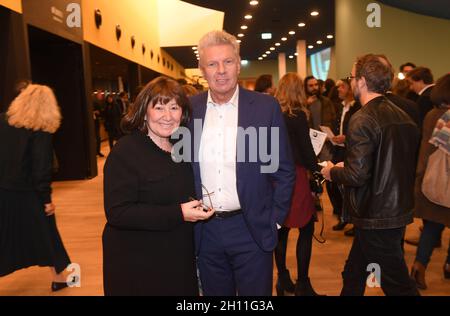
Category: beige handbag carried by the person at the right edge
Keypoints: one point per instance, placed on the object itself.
(436, 180)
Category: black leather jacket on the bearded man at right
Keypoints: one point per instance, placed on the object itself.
(379, 167)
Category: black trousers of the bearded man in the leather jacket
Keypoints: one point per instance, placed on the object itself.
(382, 247)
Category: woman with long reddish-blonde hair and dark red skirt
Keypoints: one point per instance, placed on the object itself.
(302, 214)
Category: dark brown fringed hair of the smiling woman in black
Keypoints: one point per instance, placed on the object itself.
(160, 90)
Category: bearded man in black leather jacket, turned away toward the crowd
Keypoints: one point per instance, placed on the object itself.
(378, 175)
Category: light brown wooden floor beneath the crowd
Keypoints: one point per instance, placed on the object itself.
(81, 220)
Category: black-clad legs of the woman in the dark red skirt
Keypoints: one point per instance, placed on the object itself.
(303, 251)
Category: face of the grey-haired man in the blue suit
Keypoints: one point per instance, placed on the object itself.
(221, 67)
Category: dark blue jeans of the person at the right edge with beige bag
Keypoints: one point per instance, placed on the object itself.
(431, 234)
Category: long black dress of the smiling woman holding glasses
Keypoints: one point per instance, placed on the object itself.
(148, 249)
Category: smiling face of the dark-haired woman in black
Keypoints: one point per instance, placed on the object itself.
(164, 119)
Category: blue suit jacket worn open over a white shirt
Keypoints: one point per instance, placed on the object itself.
(265, 198)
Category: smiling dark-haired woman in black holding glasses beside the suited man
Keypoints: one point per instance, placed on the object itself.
(148, 243)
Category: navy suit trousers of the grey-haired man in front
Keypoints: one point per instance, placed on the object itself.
(230, 262)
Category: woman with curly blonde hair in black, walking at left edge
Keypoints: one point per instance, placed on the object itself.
(28, 232)
